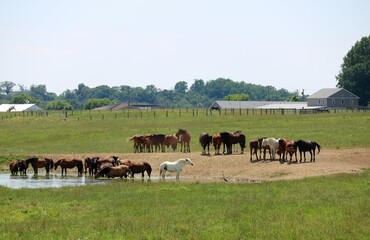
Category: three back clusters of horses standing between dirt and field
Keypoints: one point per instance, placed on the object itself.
(229, 141)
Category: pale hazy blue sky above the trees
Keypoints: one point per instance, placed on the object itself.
(290, 44)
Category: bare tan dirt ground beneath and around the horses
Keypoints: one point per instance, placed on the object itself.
(238, 167)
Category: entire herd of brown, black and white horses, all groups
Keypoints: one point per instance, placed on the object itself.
(113, 166)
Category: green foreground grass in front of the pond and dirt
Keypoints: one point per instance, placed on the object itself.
(332, 207)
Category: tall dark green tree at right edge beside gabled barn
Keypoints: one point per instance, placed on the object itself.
(355, 71)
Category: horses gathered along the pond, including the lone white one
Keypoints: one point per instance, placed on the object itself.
(109, 167)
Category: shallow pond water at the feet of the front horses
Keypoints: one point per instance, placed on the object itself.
(56, 180)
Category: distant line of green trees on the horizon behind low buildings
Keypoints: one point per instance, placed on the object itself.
(200, 94)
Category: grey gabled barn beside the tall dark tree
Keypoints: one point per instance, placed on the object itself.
(338, 98)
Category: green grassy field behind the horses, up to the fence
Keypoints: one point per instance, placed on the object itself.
(107, 132)
